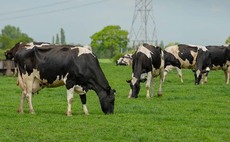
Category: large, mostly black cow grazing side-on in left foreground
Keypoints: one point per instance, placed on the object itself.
(75, 67)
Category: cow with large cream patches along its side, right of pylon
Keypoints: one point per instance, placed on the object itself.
(185, 56)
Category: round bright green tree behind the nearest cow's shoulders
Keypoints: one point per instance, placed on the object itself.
(109, 41)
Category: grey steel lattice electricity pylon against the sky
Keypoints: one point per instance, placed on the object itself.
(143, 28)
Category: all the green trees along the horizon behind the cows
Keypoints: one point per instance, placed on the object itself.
(106, 43)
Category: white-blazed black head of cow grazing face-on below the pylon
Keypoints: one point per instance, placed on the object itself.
(135, 87)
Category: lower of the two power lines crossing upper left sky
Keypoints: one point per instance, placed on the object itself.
(53, 11)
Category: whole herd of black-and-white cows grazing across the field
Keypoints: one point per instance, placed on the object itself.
(42, 65)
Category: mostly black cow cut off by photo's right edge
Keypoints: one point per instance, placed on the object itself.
(220, 59)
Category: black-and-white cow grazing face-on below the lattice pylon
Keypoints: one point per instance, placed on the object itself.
(147, 59)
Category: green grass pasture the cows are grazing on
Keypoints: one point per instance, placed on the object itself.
(185, 112)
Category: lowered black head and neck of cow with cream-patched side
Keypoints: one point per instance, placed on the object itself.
(203, 64)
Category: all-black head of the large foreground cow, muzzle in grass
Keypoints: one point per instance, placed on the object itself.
(107, 102)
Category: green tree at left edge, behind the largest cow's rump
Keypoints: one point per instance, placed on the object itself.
(11, 35)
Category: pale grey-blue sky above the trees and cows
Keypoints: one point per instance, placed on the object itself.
(200, 22)
